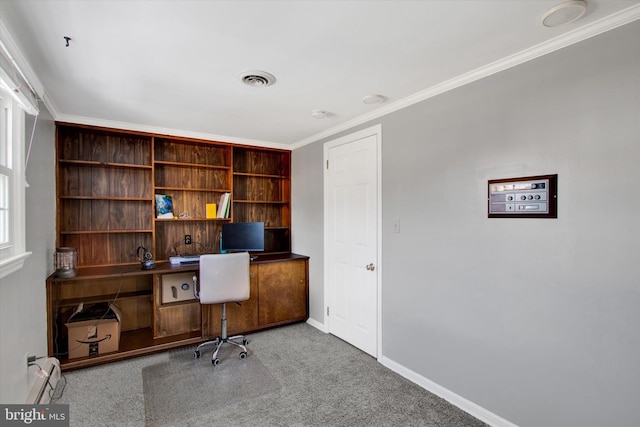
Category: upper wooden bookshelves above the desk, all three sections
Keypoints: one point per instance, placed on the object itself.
(108, 178)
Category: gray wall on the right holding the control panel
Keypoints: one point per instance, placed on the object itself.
(534, 320)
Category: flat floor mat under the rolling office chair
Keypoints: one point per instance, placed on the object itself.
(169, 386)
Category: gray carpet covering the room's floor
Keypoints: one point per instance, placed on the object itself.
(301, 377)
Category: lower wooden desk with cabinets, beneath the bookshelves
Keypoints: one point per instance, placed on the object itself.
(279, 295)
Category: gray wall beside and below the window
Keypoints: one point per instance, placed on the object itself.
(23, 322)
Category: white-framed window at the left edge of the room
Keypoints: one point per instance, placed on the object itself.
(12, 184)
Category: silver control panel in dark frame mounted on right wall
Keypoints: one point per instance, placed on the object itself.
(527, 197)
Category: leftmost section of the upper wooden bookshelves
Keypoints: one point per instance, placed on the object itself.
(105, 194)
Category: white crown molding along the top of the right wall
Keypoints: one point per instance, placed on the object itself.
(583, 33)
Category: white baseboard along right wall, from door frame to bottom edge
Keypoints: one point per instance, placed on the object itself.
(466, 405)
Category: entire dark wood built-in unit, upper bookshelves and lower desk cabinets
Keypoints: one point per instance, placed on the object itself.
(107, 182)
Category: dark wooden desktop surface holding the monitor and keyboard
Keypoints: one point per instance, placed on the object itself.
(162, 267)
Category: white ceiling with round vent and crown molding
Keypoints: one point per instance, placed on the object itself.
(172, 66)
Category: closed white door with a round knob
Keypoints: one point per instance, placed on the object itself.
(351, 238)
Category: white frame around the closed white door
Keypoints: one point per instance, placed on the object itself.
(375, 130)
